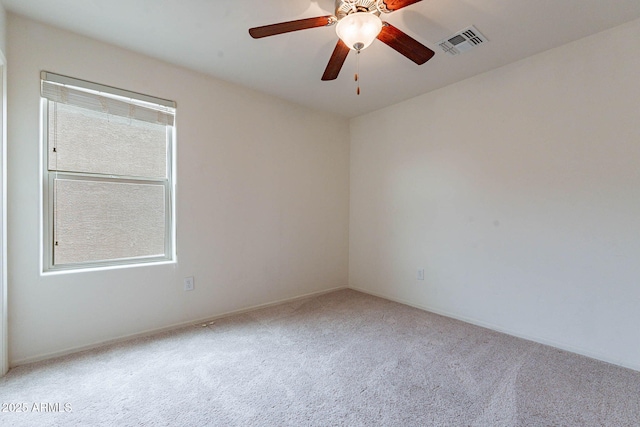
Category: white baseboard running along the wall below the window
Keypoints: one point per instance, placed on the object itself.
(151, 332)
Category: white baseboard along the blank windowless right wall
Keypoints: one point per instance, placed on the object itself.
(539, 340)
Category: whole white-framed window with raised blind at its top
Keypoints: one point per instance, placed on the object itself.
(107, 185)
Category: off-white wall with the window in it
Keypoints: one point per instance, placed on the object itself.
(262, 205)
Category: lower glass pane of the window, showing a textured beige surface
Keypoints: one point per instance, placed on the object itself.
(126, 220)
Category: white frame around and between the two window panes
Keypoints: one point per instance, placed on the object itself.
(49, 177)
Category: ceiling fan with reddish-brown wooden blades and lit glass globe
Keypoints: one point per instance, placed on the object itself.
(358, 24)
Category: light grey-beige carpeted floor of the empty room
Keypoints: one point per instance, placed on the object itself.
(340, 359)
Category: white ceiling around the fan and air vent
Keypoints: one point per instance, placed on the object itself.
(211, 36)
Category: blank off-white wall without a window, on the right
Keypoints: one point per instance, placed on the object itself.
(518, 191)
